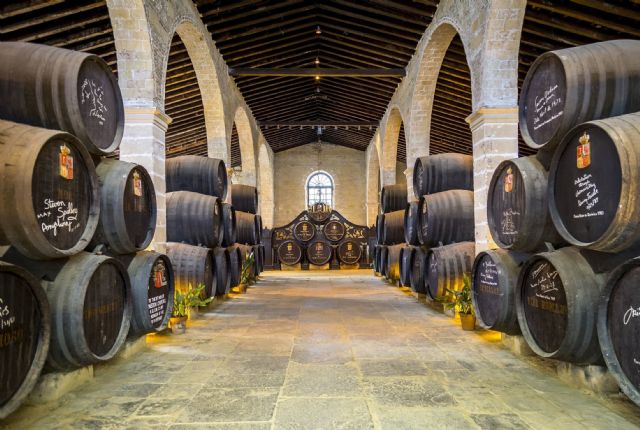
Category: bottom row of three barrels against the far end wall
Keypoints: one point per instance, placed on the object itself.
(319, 252)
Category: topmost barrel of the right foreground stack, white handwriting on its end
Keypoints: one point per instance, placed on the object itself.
(566, 87)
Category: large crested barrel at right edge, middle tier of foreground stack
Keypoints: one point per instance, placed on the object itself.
(594, 182)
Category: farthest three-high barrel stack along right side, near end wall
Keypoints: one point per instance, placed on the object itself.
(390, 232)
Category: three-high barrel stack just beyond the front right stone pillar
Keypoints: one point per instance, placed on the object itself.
(439, 226)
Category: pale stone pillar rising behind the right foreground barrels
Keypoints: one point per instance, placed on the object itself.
(495, 138)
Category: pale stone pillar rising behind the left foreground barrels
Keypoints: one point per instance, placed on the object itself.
(144, 143)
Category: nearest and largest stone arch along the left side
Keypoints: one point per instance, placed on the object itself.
(195, 40)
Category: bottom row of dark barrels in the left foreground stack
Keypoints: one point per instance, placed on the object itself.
(68, 313)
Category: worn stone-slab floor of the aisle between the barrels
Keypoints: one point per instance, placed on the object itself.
(327, 350)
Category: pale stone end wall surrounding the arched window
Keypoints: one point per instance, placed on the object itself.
(346, 166)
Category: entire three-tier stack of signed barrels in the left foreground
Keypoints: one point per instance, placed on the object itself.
(67, 227)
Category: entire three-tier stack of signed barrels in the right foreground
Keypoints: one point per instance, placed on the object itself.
(579, 107)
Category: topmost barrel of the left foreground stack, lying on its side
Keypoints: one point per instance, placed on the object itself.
(60, 89)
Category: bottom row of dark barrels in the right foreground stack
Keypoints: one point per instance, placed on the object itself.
(572, 304)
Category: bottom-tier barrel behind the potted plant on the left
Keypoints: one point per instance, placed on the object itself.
(192, 266)
